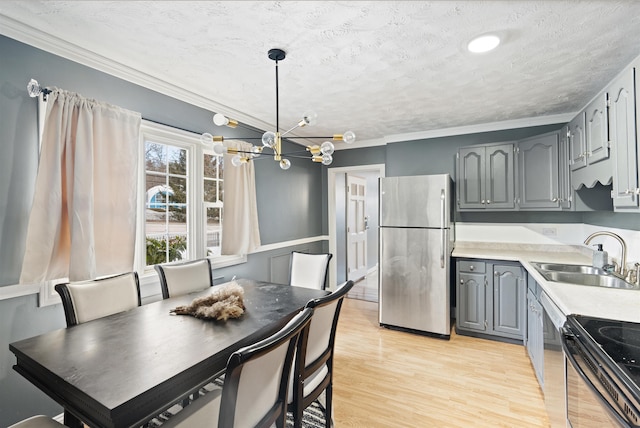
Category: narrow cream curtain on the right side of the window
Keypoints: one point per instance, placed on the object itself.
(240, 232)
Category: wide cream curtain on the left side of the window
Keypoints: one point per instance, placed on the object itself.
(83, 218)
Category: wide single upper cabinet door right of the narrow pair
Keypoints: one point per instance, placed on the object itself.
(538, 172)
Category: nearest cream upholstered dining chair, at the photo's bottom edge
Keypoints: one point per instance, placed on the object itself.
(255, 387)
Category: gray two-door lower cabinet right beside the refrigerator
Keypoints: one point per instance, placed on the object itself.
(490, 298)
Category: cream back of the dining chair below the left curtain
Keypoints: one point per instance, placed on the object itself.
(88, 300)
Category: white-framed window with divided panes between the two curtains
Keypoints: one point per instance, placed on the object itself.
(181, 200)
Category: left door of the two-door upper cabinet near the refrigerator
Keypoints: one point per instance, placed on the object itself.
(471, 173)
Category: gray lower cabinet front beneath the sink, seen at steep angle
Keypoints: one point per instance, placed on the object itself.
(535, 333)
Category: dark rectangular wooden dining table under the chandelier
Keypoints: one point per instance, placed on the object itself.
(124, 369)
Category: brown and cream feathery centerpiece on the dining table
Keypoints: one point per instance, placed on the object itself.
(225, 302)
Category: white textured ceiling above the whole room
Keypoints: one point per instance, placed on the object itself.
(381, 68)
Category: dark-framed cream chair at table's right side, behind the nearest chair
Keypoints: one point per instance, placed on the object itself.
(313, 371)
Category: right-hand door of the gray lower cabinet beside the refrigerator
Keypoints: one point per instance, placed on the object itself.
(509, 301)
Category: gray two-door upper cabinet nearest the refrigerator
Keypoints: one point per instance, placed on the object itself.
(486, 177)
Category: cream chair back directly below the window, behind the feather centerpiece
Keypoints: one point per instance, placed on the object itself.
(183, 278)
